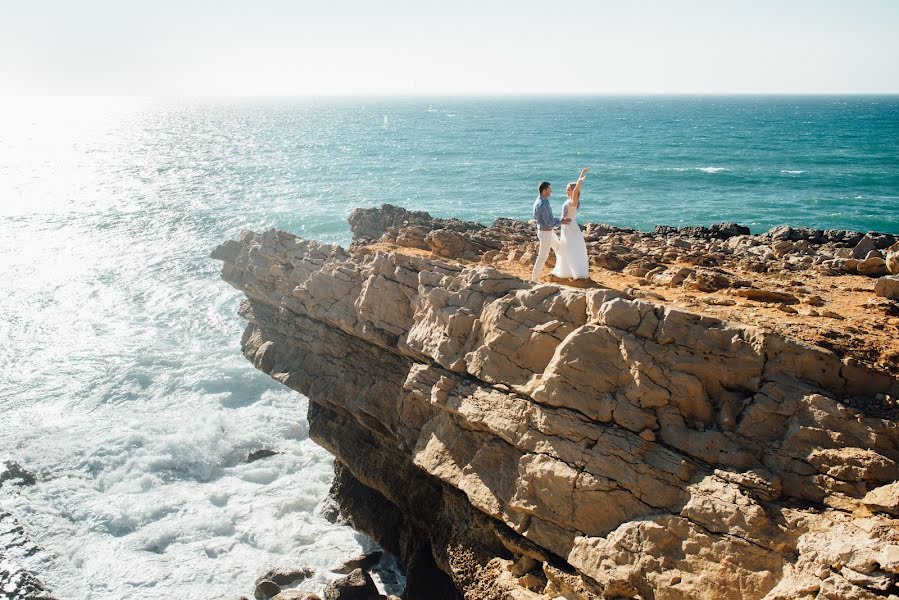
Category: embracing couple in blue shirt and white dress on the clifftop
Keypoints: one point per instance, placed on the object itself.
(570, 248)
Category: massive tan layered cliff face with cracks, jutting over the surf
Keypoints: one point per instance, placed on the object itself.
(507, 440)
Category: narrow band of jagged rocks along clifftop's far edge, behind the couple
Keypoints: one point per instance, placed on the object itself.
(731, 245)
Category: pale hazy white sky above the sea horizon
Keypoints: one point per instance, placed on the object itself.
(280, 47)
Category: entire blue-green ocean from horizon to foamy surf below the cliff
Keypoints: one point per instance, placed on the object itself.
(122, 386)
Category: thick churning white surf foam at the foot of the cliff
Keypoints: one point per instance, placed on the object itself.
(138, 507)
